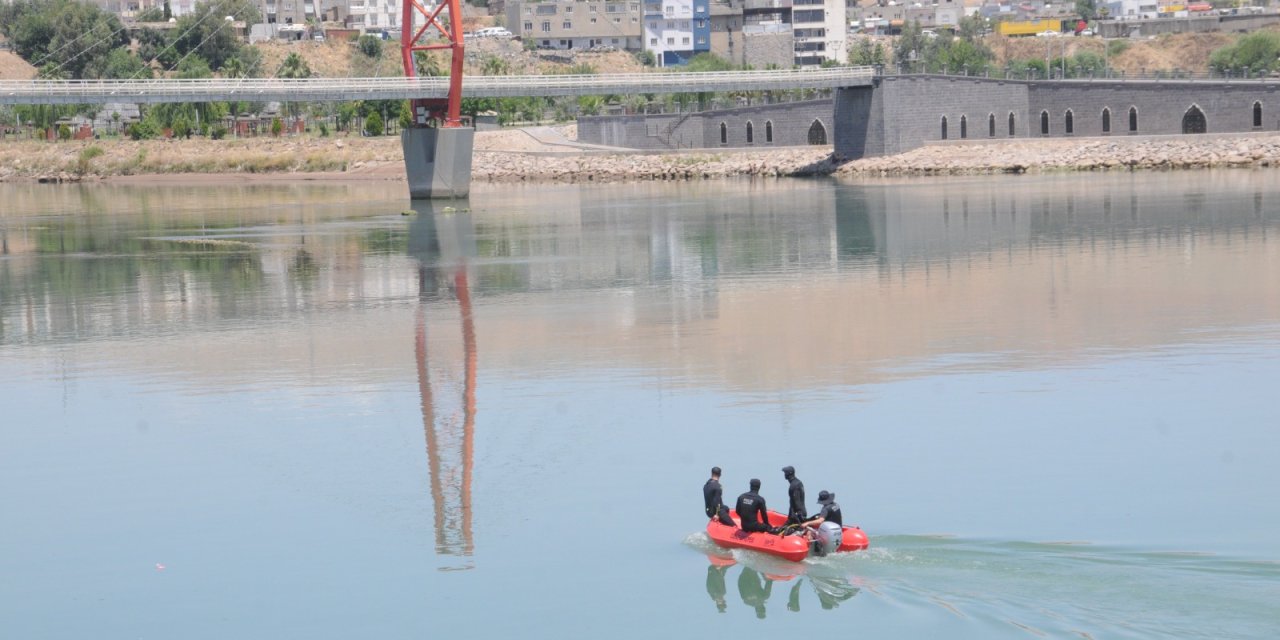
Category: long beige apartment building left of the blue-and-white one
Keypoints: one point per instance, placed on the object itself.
(578, 24)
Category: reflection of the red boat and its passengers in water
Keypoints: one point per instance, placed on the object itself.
(756, 587)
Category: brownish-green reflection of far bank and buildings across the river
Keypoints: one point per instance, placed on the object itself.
(766, 287)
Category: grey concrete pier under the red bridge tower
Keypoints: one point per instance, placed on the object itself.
(438, 162)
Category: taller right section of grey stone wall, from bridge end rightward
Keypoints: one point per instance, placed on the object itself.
(903, 113)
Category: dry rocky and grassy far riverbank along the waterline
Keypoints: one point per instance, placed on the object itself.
(515, 156)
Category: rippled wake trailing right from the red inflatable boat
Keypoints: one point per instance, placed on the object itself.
(1050, 589)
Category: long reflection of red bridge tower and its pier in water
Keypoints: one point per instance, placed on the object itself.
(444, 243)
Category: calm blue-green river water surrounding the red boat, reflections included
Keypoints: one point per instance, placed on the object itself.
(307, 412)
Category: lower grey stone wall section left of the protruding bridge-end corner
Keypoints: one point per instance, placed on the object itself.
(790, 125)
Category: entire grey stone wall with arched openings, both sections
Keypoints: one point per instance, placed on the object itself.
(903, 113)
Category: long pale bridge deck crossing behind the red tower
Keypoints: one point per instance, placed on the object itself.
(341, 90)
